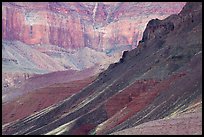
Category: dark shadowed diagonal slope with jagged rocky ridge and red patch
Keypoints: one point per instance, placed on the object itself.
(160, 78)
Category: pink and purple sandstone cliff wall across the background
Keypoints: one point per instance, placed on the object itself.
(74, 25)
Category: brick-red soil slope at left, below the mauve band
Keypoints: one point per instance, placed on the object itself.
(40, 99)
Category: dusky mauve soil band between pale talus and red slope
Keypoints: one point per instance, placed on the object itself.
(44, 80)
